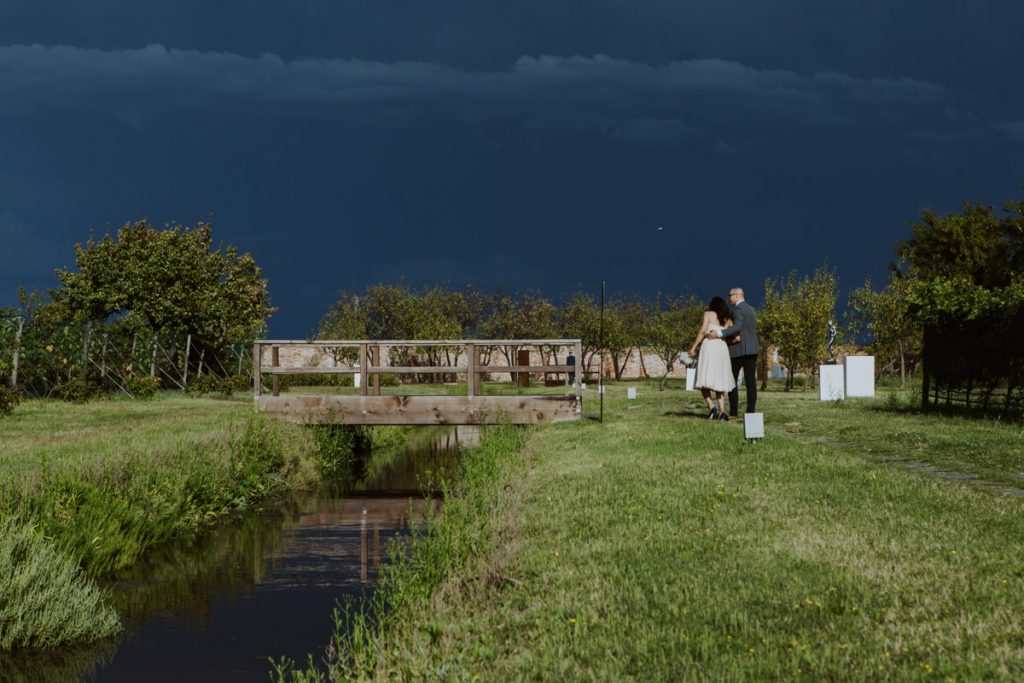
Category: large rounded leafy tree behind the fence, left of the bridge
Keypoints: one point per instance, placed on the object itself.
(170, 280)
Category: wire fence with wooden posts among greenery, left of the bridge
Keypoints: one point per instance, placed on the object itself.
(44, 359)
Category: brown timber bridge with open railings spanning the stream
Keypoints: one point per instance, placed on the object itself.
(372, 409)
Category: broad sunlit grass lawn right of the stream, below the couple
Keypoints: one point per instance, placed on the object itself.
(660, 546)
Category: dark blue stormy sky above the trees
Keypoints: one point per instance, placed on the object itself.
(347, 143)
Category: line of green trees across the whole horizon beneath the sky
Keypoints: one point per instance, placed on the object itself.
(954, 269)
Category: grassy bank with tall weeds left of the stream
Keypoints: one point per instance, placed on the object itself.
(88, 490)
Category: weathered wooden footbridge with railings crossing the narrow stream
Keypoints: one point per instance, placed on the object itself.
(367, 406)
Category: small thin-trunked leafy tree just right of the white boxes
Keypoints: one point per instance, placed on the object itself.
(887, 318)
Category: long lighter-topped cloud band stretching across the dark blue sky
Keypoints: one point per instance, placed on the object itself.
(667, 104)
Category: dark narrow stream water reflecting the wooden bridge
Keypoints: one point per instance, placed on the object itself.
(265, 587)
